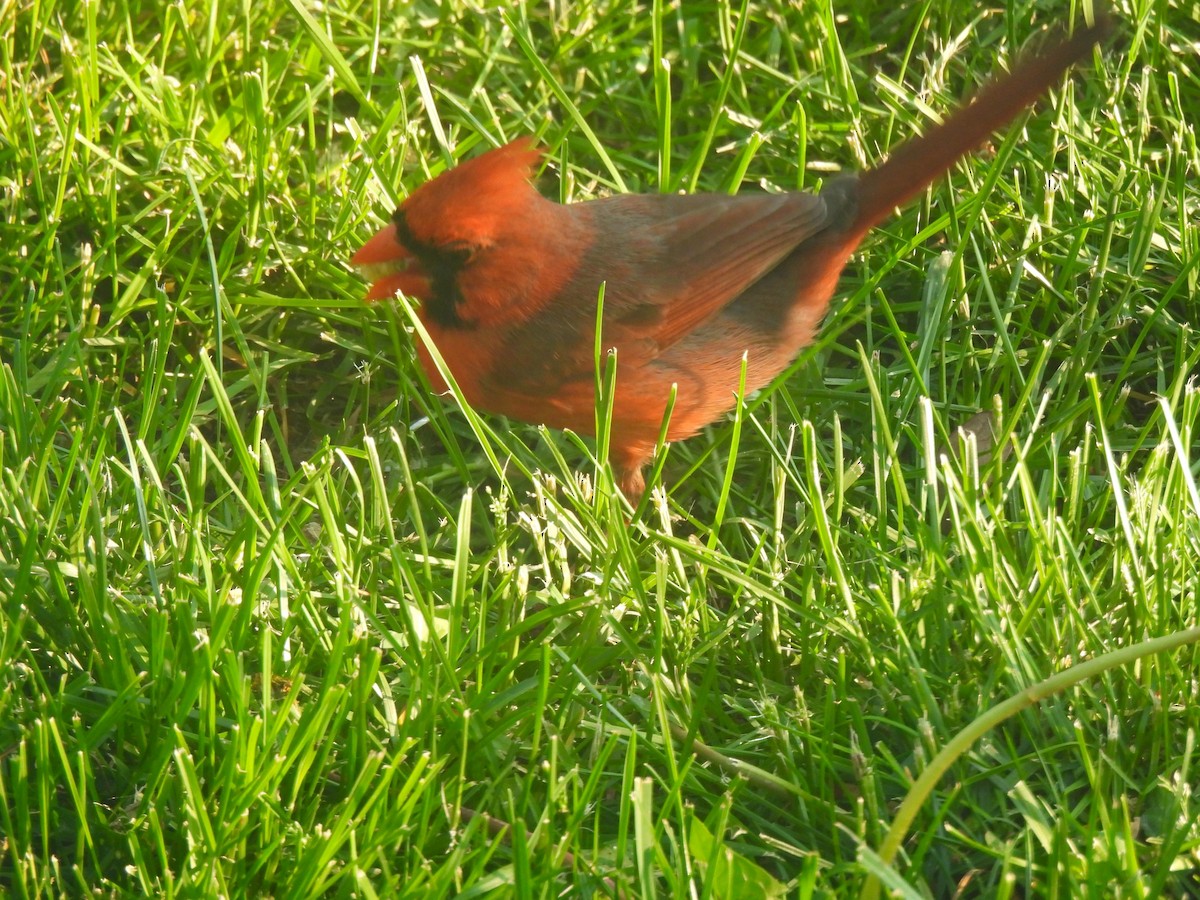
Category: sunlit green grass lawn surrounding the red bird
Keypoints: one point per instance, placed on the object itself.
(277, 621)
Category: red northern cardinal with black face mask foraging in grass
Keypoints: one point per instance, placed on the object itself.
(508, 280)
